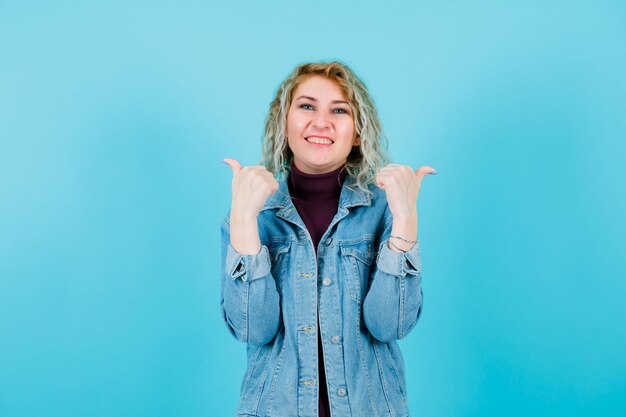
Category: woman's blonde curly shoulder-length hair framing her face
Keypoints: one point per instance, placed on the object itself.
(365, 160)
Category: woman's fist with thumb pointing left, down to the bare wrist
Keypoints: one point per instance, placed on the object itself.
(252, 185)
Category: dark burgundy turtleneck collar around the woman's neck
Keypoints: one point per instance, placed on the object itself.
(316, 188)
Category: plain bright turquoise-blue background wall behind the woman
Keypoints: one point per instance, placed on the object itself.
(114, 119)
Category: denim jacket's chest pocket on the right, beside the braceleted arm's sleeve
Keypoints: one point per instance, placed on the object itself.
(357, 261)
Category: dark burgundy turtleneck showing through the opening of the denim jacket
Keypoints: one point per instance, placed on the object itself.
(316, 197)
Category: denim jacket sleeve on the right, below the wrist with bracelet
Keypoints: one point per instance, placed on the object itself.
(394, 300)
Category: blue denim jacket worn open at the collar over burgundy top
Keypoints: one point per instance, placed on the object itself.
(368, 296)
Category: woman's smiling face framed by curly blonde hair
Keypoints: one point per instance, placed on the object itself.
(320, 126)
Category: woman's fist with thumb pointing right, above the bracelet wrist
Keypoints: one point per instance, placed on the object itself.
(401, 185)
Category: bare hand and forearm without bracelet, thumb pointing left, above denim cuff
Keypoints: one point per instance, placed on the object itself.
(251, 188)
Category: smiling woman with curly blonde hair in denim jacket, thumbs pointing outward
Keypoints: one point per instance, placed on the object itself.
(321, 271)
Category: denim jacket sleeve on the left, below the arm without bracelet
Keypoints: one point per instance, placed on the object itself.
(250, 302)
